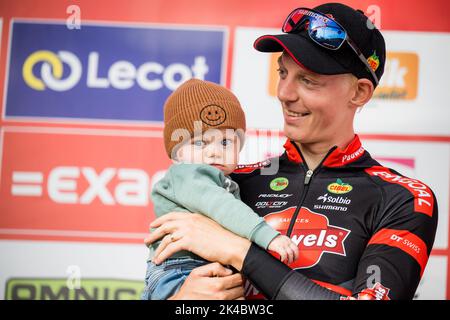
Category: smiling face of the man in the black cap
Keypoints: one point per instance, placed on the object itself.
(316, 107)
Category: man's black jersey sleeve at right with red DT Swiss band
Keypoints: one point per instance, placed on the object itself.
(398, 251)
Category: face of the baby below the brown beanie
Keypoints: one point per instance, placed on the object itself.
(219, 148)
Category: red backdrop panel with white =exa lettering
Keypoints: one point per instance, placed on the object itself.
(78, 187)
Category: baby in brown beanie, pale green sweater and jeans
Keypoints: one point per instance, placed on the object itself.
(210, 122)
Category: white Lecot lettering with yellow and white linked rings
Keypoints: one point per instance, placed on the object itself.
(121, 75)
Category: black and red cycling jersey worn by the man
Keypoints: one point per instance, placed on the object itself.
(363, 230)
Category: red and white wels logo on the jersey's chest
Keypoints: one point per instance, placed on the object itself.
(312, 233)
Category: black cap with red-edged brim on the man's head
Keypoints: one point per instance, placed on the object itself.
(344, 60)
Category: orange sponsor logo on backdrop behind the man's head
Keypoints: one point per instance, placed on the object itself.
(399, 81)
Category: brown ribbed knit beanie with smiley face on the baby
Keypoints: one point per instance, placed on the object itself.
(197, 106)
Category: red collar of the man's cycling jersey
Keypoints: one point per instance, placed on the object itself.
(337, 158)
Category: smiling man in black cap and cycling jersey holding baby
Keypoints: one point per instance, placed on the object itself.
(363, 230)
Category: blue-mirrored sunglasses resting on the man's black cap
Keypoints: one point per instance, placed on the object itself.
(324, 31)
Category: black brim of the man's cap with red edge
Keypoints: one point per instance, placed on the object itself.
(304, 52)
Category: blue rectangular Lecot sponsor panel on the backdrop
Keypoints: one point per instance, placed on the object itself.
(105, 72)
